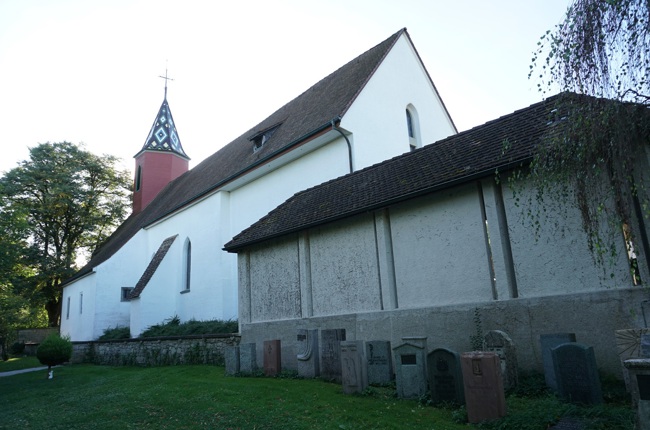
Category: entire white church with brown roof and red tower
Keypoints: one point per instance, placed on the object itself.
(167, 259)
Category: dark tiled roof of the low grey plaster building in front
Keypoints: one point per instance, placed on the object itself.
(500, 144)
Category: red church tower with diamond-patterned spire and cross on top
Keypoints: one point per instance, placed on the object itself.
(161, 159)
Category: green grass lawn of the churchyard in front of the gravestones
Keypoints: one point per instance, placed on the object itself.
(201, 397)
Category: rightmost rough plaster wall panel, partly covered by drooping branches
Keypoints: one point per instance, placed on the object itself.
(552, 257)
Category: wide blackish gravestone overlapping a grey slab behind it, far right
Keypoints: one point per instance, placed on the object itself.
(577, 373)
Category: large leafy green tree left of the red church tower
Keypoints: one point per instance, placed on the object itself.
(64, 202)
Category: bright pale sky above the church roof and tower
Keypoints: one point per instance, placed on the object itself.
(88, 71)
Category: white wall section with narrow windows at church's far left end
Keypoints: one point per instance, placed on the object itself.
(76, 321)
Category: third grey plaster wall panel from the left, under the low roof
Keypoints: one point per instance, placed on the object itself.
(439, 249)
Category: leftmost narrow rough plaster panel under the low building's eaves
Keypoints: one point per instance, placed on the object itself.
(275, 275)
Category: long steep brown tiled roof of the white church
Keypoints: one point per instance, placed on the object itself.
(306, 115)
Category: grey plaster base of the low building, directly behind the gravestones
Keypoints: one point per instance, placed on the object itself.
(593, 317)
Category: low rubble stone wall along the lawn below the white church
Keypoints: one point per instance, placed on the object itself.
(159, 351)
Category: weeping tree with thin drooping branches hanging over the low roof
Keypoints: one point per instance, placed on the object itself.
(601, 49)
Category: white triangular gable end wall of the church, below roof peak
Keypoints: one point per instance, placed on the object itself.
(378, 115)
